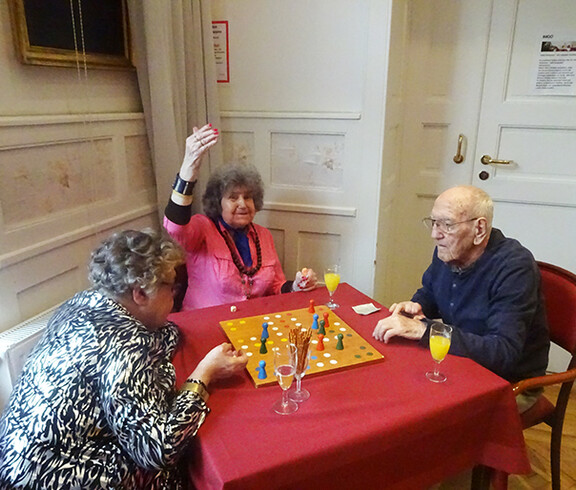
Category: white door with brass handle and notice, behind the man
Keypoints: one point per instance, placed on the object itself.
(528, 119)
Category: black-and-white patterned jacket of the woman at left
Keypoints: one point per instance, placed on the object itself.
(95, 406)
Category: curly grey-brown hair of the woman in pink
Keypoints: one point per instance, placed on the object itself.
(226, 178)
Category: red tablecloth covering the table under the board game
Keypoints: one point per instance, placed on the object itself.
(379, 425)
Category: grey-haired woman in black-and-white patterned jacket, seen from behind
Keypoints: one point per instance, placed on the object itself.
(96, 405)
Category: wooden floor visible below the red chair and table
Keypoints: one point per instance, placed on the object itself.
(538, 444)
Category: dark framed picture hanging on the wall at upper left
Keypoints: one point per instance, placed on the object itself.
(72, 32)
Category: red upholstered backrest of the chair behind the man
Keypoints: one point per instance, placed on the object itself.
(559, 290)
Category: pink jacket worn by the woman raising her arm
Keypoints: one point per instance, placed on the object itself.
(213, 278)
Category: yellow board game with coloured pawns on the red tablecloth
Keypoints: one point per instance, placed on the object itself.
(343, 347)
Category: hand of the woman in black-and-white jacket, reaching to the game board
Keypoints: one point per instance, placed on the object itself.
(221, 362)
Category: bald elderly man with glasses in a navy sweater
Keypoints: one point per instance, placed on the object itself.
(483, 284)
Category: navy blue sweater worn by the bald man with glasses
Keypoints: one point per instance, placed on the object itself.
(495, 307)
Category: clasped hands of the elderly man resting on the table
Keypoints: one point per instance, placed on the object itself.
(405, 321)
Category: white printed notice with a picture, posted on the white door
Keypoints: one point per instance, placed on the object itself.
(556, 66)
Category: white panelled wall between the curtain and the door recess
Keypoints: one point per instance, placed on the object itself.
(306, 105)
